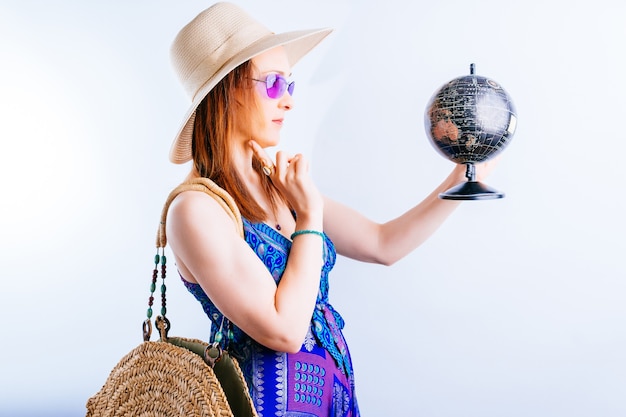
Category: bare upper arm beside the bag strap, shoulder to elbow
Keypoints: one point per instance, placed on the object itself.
(209, 251)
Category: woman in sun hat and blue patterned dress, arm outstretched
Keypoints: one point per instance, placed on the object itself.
(267, 294)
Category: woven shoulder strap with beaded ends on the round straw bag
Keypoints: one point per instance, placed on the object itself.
(228, 204)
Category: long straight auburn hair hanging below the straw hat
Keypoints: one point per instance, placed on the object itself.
(231, 101)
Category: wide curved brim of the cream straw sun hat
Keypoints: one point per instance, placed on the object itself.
(296, 43)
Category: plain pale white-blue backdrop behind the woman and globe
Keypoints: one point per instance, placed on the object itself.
(515, 307)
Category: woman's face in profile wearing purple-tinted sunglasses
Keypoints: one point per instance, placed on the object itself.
(268, 121)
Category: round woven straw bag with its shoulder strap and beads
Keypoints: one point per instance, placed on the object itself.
(175, 376)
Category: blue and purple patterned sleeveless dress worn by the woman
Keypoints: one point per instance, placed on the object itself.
(318, 381)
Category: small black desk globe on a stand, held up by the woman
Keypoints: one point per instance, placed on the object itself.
(470, 120)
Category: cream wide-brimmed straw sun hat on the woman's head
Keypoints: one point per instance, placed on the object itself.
(214, 43)
